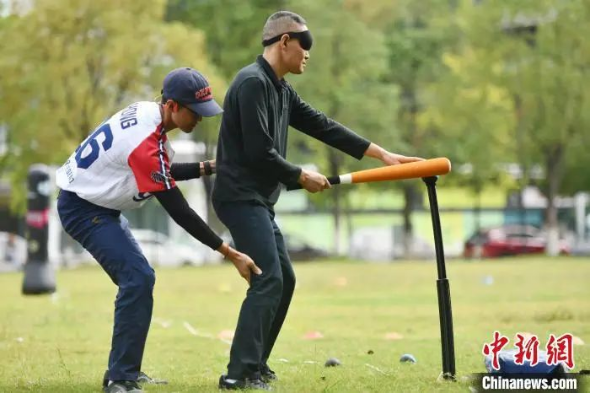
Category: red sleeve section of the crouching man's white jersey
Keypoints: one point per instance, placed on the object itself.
(150, 164)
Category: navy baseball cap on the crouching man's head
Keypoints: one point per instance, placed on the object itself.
(190, 88)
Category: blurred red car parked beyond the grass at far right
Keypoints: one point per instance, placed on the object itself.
(509, 240)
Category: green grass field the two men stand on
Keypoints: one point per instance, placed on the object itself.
(60, 343)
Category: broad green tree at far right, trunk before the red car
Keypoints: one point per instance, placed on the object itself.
(537, 53)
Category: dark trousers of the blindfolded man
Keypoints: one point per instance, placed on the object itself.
(263, 312)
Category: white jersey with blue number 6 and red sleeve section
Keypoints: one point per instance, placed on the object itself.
(124, 160)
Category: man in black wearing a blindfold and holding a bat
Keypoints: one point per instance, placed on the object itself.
(259, 108)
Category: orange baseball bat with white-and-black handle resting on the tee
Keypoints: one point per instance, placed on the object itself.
(412, 170)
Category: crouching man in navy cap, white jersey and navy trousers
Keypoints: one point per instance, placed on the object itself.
(124, 162)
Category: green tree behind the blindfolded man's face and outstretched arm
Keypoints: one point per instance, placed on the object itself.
(344, 79)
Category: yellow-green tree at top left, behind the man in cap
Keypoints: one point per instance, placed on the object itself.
(81, 61)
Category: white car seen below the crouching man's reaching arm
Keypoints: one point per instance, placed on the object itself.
(161, 251)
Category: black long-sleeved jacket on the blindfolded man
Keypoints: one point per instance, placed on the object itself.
(252, 147)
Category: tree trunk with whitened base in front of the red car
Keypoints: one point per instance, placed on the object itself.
(554, 163)
